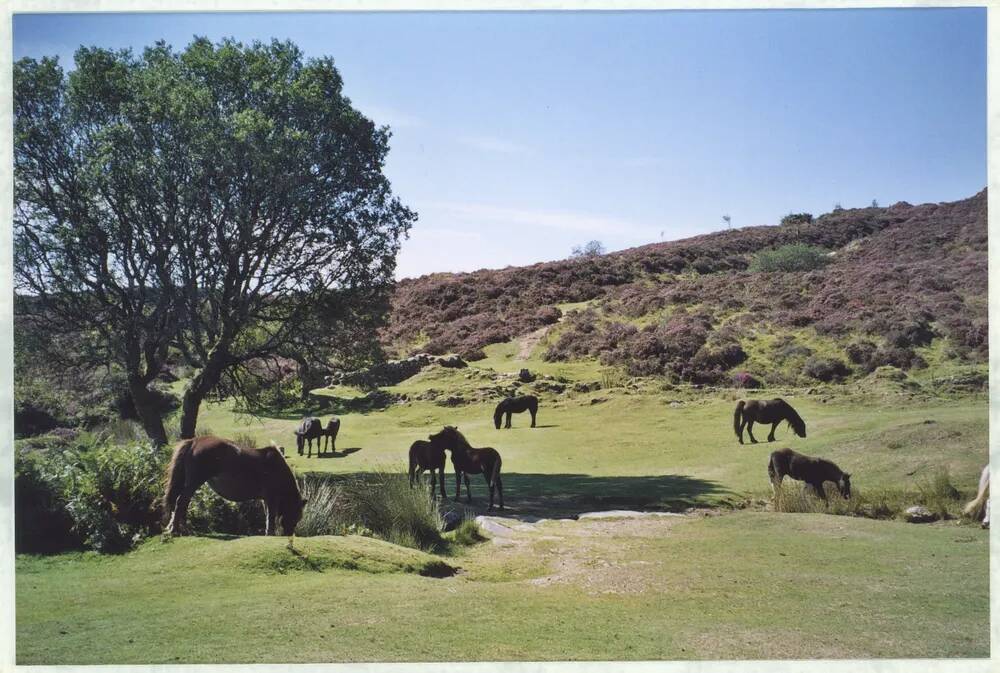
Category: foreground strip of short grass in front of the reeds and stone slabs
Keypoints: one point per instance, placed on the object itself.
(691, 588)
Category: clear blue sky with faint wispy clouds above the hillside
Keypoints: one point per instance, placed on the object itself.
(519, 135)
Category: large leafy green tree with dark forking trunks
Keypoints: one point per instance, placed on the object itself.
(214, 200)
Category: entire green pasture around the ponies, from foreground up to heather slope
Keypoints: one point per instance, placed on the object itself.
(737, 584)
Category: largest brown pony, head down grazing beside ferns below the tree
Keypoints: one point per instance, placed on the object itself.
(235, 474)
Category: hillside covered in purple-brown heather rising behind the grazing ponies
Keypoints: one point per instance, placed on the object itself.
(902, 286)
